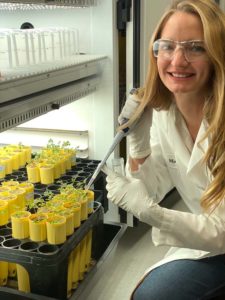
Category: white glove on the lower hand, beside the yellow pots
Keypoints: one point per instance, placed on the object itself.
(131, 195)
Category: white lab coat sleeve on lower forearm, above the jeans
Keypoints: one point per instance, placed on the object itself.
(187, 230)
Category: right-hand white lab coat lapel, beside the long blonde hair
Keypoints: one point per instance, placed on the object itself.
(199, 150)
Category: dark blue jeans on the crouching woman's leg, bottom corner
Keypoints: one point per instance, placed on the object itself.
(184, 280)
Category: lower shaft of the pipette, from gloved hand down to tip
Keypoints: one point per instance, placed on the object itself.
(118, 137)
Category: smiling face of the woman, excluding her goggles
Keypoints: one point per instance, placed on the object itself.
(179, 75)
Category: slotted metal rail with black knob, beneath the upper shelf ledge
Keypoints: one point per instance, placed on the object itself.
(26, 108)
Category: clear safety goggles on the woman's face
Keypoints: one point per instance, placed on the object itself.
(193, 50)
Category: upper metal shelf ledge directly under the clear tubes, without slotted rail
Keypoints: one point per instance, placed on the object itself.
(20, 82)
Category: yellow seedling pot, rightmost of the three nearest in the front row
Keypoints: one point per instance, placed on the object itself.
(56, 229)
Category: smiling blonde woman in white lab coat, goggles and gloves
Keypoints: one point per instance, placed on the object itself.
(185, 89)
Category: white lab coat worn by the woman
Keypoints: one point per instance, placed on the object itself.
(191, 235)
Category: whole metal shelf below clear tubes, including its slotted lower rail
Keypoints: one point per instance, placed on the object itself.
(24, 97)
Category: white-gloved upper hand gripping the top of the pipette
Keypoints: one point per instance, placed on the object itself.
(139, 134)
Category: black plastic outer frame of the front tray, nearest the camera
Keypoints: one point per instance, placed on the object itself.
(48, 270)
